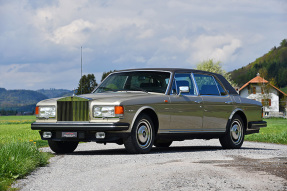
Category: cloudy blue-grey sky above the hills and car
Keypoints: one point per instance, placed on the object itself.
(40, 41)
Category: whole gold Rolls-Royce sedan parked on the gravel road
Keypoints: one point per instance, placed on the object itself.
(144, 107)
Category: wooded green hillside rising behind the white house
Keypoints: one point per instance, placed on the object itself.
(272, 66)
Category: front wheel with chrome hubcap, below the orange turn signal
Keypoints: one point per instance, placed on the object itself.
(142, 136)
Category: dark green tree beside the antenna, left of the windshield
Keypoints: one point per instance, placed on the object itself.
(86, 84)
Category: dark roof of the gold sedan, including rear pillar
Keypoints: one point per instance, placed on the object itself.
(226, 84)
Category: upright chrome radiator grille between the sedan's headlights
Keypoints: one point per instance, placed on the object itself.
(73, 110)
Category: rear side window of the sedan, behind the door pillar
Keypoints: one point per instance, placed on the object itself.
(206, 85)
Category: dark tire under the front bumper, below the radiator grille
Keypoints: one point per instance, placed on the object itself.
(61, 147)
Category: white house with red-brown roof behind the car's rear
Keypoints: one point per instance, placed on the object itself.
(272, 98)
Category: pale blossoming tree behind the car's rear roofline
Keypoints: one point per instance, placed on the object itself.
(215, 67)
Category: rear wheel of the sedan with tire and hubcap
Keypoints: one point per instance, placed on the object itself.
(234, 137)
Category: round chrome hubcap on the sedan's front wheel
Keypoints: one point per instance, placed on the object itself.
(144, 134)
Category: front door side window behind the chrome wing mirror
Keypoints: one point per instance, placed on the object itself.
(183, 79)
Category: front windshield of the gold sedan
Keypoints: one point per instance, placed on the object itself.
(147, 81)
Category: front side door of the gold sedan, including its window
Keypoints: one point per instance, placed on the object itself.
(185, 107)
